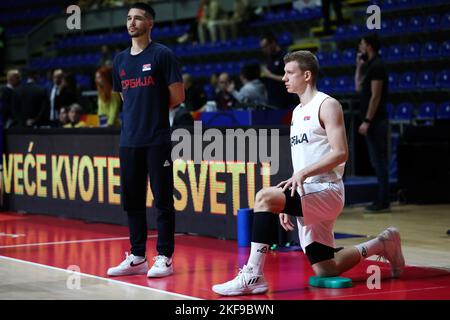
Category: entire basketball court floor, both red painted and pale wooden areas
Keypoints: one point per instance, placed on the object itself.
(36, 252)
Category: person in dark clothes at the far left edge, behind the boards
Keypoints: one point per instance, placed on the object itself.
(13, 79)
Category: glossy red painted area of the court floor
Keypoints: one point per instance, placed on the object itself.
(201, 262)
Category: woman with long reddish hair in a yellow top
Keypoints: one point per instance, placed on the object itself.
(109, 102)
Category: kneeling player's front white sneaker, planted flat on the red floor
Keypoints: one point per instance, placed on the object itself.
(246, 282)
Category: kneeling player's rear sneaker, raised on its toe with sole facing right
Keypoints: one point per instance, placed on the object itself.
(393, 250)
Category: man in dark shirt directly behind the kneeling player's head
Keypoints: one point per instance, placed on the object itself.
(273, 71)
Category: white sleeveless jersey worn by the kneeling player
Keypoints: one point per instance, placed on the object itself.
(309, 142)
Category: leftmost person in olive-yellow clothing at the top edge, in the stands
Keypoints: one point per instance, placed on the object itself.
(214, 19)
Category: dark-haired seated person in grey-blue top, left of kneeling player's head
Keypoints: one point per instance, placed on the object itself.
(253, 90)
